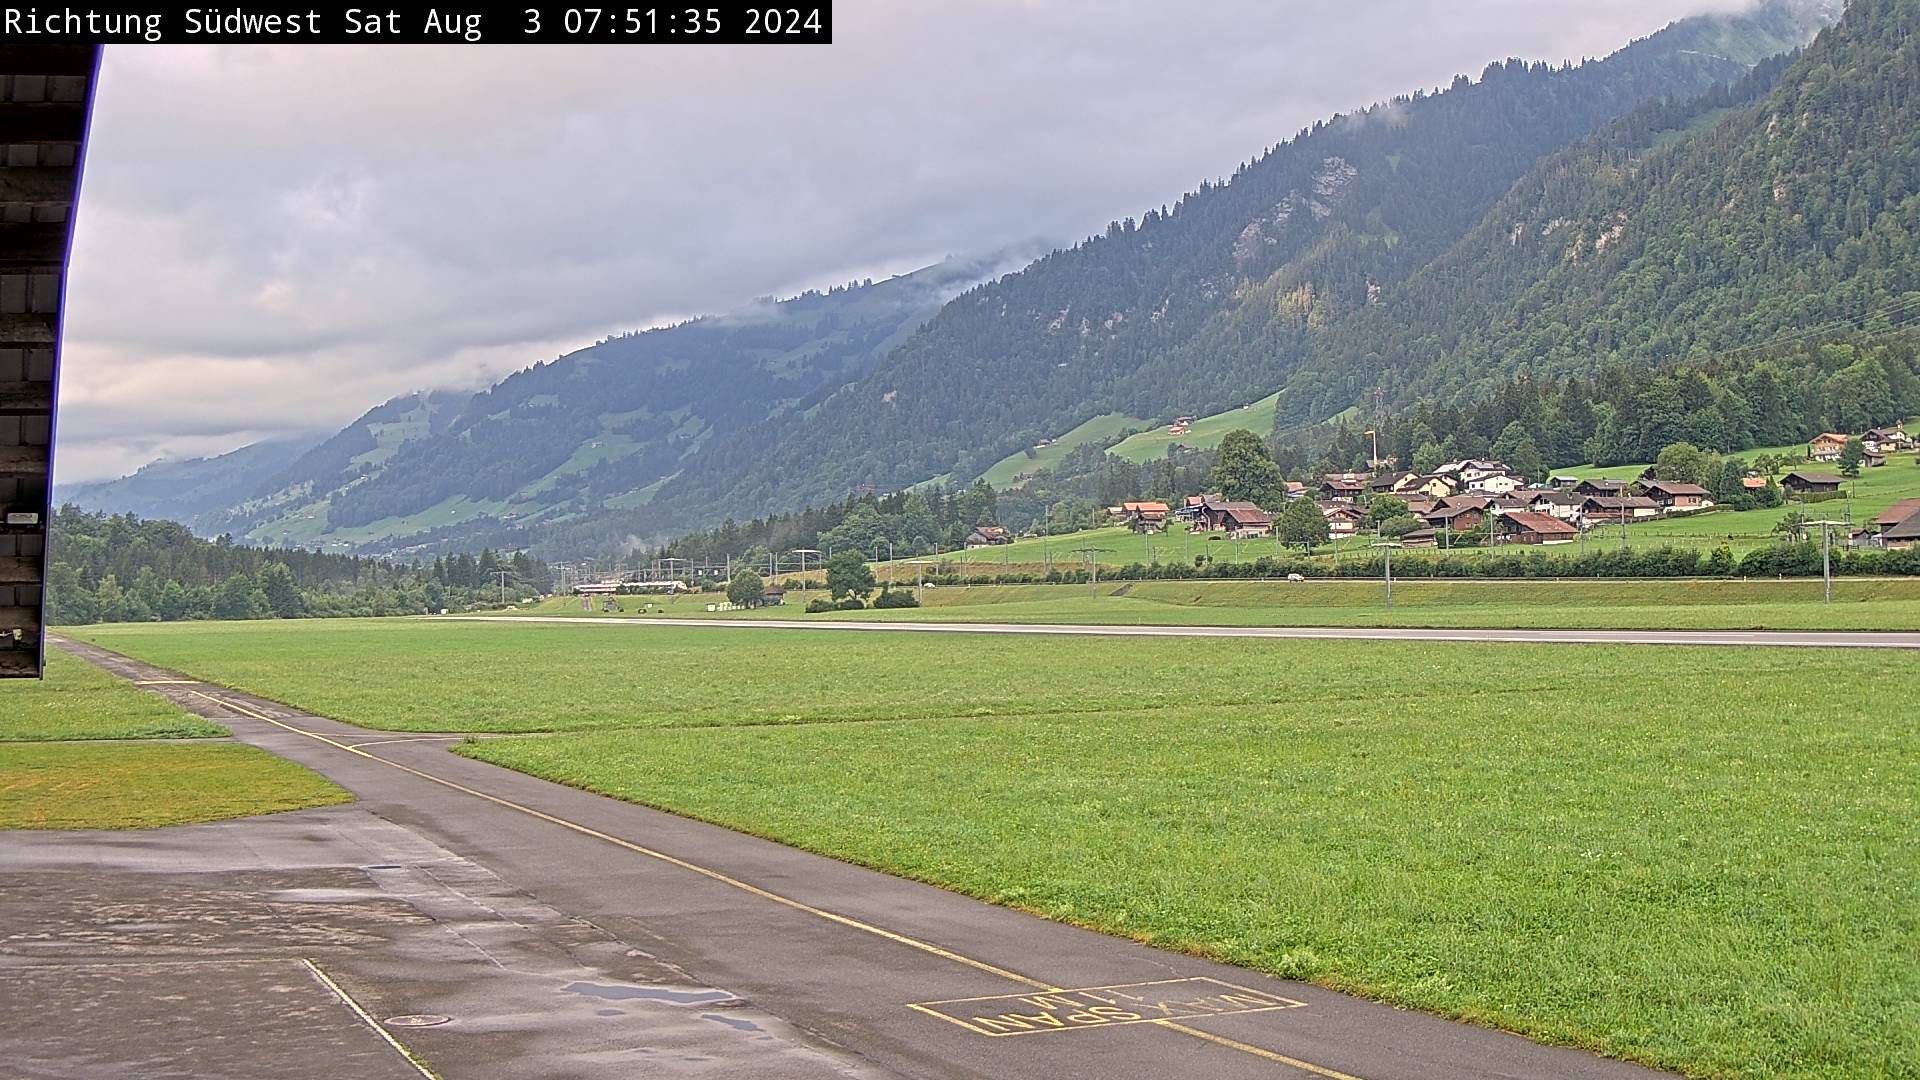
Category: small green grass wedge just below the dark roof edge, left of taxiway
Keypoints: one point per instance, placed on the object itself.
(80, 700)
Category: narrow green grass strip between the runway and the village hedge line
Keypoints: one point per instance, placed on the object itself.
(1706, 604)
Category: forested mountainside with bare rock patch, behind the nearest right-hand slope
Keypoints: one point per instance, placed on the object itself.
(1324, 224)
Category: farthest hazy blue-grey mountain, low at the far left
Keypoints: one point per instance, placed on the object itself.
(193, 491)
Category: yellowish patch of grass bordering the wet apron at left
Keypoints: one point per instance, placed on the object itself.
(145, 787)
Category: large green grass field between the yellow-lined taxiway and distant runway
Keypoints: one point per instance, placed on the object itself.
(1700, 858)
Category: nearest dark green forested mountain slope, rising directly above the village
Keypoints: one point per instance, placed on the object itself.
(1787, 207)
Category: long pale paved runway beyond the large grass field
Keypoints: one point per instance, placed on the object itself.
(1792, 639)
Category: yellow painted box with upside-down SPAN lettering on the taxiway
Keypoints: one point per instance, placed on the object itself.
(1092, 1008)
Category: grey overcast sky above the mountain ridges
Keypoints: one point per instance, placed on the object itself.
(279, 239)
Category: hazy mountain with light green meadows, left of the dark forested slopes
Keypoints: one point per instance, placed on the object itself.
(592, 431)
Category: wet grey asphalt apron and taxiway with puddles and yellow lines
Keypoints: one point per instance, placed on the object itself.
(569, 935)
